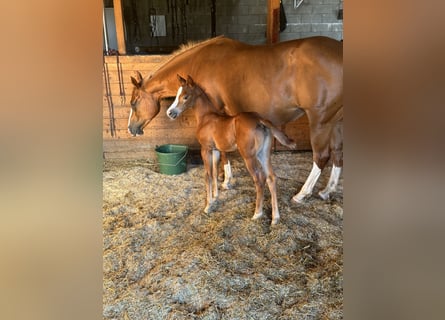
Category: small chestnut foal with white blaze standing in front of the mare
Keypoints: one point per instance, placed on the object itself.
(219, 132)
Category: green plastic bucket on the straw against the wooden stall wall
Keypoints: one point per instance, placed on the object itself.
(172, 158)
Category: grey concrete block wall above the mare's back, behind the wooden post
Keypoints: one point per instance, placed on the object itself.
(245, 20)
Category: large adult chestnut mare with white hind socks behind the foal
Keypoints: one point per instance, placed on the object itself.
(280, 82)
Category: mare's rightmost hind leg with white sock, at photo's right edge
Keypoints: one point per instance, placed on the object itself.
(337, 159)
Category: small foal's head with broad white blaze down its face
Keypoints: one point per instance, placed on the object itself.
(186, 97)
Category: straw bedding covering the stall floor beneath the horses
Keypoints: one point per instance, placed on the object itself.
(164, 258)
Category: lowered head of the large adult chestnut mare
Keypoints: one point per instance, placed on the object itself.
(144, 107)
